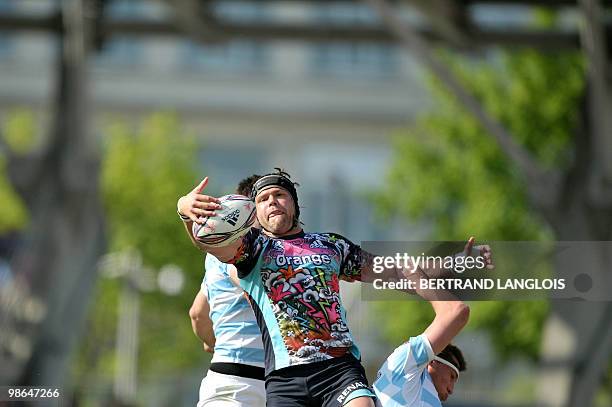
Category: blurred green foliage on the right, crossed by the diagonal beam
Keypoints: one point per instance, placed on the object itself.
(449, 170)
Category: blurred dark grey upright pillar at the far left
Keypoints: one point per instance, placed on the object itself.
(65, 238)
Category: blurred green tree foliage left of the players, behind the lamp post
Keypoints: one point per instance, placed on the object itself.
(144, 172)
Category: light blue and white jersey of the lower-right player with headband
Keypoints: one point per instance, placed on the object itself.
(403, 379)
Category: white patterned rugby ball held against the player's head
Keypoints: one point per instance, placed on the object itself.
(232, 221)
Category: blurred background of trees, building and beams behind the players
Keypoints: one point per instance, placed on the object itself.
(401, 120)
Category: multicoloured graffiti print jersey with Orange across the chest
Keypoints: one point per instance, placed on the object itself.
(293, 285)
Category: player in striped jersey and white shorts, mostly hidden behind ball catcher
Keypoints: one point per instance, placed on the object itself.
(224, 321)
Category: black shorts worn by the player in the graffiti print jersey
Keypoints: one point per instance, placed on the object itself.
(330, 383)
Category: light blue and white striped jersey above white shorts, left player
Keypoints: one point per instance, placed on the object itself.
(238, 338)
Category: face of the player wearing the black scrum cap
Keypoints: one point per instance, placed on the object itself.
(275, 210)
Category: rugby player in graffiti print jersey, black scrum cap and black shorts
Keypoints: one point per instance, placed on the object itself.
(292, 280)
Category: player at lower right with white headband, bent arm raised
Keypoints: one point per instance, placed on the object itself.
(424, 370)
